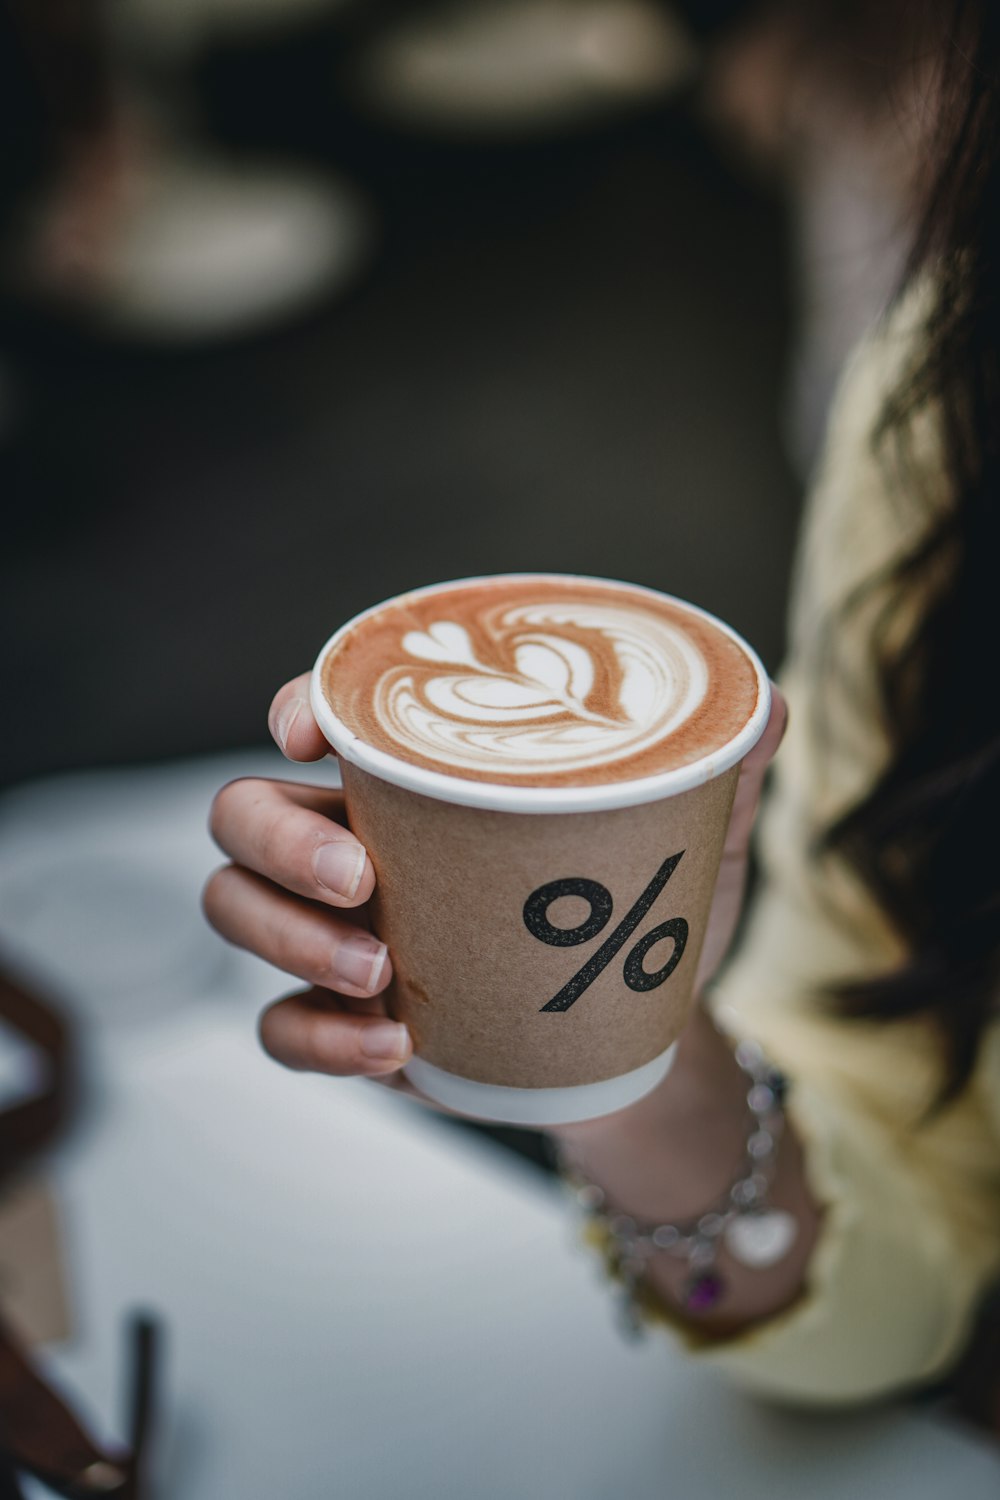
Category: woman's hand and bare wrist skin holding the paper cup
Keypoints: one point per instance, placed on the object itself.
(296, 895)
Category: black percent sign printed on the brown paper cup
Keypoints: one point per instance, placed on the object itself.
(599, 898)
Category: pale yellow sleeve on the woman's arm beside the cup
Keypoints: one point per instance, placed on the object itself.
(911, 1231)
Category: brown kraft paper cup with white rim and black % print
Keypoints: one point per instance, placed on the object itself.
(545, 941)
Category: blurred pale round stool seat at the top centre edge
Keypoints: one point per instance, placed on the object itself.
(516, 65)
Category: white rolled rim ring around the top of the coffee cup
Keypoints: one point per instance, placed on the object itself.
(504, 799)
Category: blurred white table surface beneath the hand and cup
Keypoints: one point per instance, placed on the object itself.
(361, 1301)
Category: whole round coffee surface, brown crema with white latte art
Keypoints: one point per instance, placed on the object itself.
(540, 682)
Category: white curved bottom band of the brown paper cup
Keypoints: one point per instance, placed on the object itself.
(509, 1106)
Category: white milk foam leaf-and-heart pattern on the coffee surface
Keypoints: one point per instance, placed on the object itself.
(537, 715)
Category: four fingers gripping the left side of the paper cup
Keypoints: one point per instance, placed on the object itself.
(295, 893)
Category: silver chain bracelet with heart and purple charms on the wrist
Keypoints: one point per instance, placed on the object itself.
(741, 1219)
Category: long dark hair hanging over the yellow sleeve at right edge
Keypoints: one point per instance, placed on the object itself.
(924, 838)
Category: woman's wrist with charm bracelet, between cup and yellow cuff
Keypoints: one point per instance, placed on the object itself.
(738, 1250)
